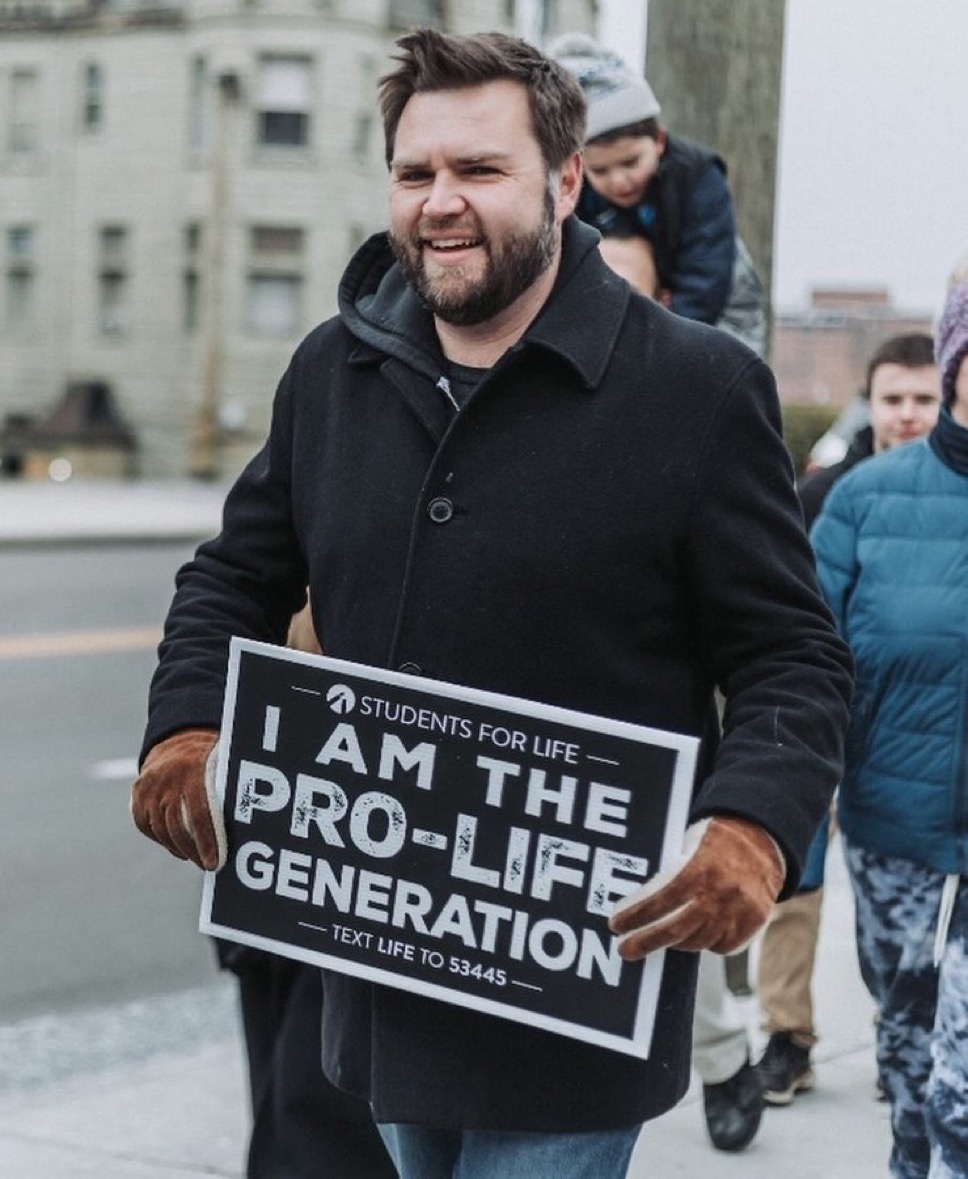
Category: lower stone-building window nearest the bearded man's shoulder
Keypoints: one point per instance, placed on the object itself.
(275, 286)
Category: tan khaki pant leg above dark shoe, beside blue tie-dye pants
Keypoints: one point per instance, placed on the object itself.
(787, 958)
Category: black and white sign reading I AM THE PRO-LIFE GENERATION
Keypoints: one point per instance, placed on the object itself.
(453, 842)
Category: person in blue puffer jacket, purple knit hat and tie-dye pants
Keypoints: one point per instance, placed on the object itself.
(892, 545)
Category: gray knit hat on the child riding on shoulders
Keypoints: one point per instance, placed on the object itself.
(616, 96)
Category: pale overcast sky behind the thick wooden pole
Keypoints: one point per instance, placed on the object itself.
(873, 186)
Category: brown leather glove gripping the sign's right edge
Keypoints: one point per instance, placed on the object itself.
(721, 894)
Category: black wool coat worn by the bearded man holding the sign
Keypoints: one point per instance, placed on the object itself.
(621, 536)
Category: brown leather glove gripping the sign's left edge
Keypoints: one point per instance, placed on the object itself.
(174, 801)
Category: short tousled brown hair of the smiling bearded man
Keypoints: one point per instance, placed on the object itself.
(433, 62)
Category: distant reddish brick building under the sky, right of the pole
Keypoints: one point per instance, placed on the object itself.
(820, 355)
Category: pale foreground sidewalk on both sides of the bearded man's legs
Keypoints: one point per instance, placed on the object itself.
(176, 1112)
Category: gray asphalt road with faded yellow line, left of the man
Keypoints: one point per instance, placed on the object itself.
(91, 913)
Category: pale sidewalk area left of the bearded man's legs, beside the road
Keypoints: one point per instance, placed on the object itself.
(150, 1089)
